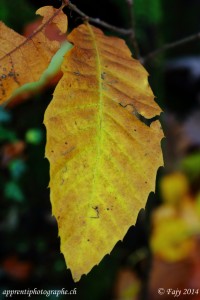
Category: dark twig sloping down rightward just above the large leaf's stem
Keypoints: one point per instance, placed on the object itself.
(97, 21)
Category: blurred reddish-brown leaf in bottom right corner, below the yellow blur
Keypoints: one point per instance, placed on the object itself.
(184, 274)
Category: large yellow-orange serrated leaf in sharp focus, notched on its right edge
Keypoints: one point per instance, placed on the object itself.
(103, 159)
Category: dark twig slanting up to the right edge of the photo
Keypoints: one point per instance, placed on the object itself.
(169, 46)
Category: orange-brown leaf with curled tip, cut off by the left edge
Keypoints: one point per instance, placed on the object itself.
(23, 60)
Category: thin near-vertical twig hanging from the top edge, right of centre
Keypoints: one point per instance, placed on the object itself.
(133, 39)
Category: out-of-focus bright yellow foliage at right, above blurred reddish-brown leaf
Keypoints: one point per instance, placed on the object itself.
(176, 224)
